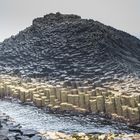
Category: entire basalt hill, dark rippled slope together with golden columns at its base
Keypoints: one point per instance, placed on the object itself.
(66, 63)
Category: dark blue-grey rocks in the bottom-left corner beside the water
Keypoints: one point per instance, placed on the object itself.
(11, 131)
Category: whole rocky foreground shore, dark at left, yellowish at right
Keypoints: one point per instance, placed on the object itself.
(10, 130)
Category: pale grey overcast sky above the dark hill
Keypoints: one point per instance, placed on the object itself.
(16, 15)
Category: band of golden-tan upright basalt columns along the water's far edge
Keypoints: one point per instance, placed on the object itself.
(98, 100)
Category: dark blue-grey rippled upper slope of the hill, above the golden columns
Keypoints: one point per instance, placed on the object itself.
(61, 47)
